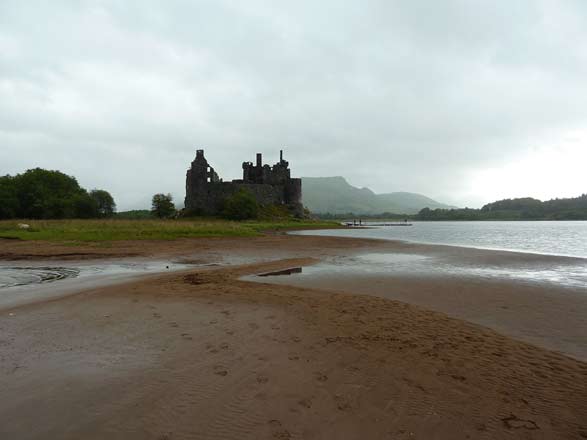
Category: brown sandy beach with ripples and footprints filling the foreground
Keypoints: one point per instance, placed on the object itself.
(204, 354)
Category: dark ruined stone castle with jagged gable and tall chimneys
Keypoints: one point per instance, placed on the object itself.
(270, 185)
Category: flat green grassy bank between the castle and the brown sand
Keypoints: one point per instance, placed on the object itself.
(112, 230)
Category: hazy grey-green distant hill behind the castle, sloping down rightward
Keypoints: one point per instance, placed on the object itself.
(336, 196)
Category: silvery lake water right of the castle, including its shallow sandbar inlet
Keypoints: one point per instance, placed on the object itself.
(566, 239)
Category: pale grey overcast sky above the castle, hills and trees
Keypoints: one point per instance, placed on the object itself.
(465, 101)
